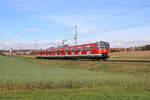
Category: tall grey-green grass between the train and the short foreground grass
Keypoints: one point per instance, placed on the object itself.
(18, 74)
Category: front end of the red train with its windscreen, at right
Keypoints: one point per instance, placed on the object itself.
(103, 50)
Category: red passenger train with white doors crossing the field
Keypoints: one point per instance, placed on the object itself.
(98, 50)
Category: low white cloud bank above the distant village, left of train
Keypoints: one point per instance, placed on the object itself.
(7, 44)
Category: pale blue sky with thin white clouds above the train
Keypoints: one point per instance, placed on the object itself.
(24, 21)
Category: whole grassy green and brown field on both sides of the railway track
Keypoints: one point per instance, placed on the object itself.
(32, 79)
